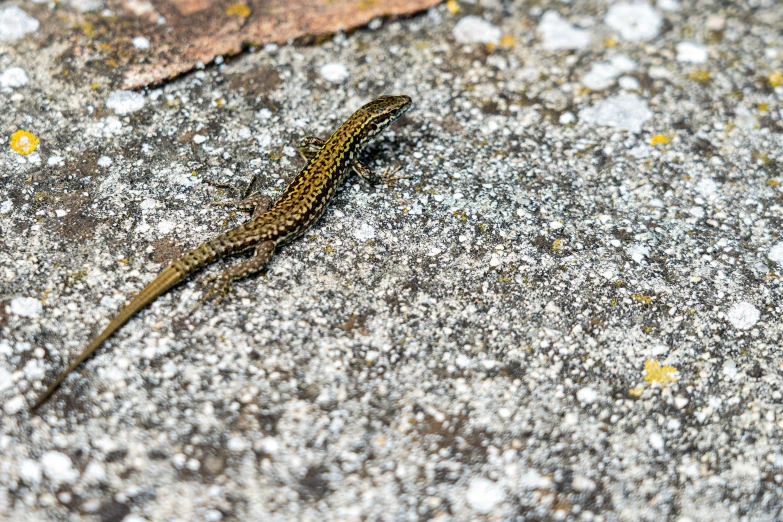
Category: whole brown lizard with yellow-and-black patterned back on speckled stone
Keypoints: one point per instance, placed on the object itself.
(294, 211)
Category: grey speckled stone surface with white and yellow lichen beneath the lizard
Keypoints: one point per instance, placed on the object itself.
(569, 309)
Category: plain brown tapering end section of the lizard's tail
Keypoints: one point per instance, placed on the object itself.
(169, 277)
